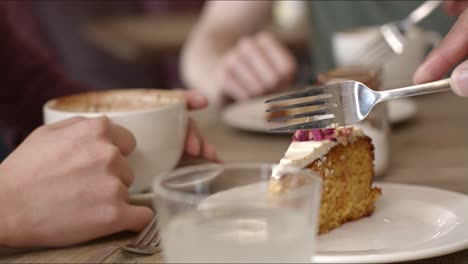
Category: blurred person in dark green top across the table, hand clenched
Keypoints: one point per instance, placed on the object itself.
(228, 55)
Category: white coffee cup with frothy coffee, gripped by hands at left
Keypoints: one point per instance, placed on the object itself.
(157, 119)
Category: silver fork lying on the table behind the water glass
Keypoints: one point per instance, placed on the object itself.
(147, 243)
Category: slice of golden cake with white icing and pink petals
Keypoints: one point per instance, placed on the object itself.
(343, 157)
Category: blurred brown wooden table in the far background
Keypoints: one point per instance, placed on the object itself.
(138, 38)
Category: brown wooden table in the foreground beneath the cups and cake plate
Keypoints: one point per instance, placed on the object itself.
(431, 150)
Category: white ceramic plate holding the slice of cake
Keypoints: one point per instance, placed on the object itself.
(410, 222)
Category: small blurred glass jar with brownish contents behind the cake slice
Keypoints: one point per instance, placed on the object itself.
(376, 125)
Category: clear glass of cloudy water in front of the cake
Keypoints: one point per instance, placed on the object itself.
(236, 213)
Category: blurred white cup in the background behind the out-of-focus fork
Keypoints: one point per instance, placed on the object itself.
(349, 45)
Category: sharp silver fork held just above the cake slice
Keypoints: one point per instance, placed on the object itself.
(341, 103)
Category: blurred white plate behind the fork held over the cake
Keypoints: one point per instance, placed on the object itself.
(250, 115)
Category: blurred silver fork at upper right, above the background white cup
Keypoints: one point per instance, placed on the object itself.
(392, 37)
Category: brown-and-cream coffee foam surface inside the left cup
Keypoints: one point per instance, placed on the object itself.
(116, 100)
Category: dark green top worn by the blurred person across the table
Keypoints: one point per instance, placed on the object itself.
(328, 17)
